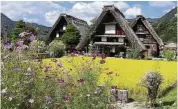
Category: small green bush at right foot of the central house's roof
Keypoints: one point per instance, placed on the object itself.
(134, 54)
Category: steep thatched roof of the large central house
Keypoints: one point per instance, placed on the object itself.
(120, 19)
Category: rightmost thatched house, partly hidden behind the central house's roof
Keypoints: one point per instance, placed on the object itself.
(147, 36)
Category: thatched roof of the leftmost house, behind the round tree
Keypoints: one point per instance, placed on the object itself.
(80, 24)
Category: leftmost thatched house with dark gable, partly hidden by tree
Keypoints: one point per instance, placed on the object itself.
(59, 27)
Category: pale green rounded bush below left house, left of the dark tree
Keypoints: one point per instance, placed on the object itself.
(56, 49)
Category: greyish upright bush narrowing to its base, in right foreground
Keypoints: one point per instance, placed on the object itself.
(152, 82)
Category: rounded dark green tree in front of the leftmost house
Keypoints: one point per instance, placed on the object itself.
(71, 36)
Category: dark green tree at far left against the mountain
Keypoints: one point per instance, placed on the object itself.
(20, 27)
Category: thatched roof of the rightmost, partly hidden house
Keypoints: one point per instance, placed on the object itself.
(149, 27)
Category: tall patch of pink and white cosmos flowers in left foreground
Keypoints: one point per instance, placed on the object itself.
(33, 85)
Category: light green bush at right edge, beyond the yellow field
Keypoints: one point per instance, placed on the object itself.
(169, 54)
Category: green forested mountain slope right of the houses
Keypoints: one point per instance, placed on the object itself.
(166, 26)
